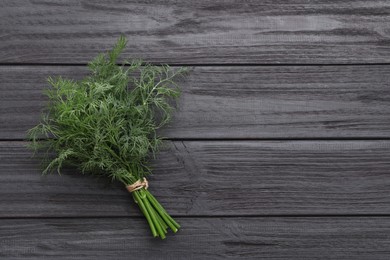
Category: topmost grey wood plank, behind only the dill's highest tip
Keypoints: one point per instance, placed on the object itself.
(218, 31)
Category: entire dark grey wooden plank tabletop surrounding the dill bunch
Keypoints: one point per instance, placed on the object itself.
(280, 148)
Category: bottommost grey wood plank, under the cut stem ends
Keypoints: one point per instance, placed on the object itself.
(200, 238)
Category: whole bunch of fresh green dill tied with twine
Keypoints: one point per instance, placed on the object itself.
(106, 125)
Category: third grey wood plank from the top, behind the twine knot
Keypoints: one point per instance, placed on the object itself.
(234, 178)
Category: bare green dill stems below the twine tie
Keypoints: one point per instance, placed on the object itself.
(158, 219)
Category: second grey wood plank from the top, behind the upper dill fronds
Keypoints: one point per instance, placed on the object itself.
(237, 102)
